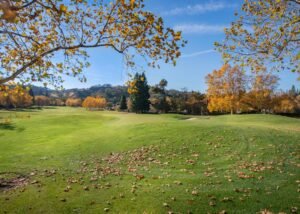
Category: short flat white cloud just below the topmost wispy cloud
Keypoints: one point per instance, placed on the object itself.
(200, 28)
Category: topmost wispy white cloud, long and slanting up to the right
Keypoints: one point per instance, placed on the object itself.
(199, 8)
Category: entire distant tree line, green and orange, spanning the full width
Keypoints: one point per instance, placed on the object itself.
(230, 90)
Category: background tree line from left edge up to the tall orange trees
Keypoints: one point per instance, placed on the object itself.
(155, 99)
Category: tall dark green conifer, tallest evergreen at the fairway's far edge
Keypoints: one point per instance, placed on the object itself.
(140, 100)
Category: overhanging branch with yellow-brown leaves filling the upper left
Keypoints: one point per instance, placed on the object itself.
(43, 40)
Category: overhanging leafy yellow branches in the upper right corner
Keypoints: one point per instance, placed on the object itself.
(267, 33)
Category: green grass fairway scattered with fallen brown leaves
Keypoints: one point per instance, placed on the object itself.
(68, 160)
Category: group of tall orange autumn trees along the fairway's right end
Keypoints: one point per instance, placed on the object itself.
(231, 90)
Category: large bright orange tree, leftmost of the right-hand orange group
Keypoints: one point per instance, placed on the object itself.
(225, 89)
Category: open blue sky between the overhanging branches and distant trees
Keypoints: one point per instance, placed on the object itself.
(202, 23)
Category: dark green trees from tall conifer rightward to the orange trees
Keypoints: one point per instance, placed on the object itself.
(156, 99)
